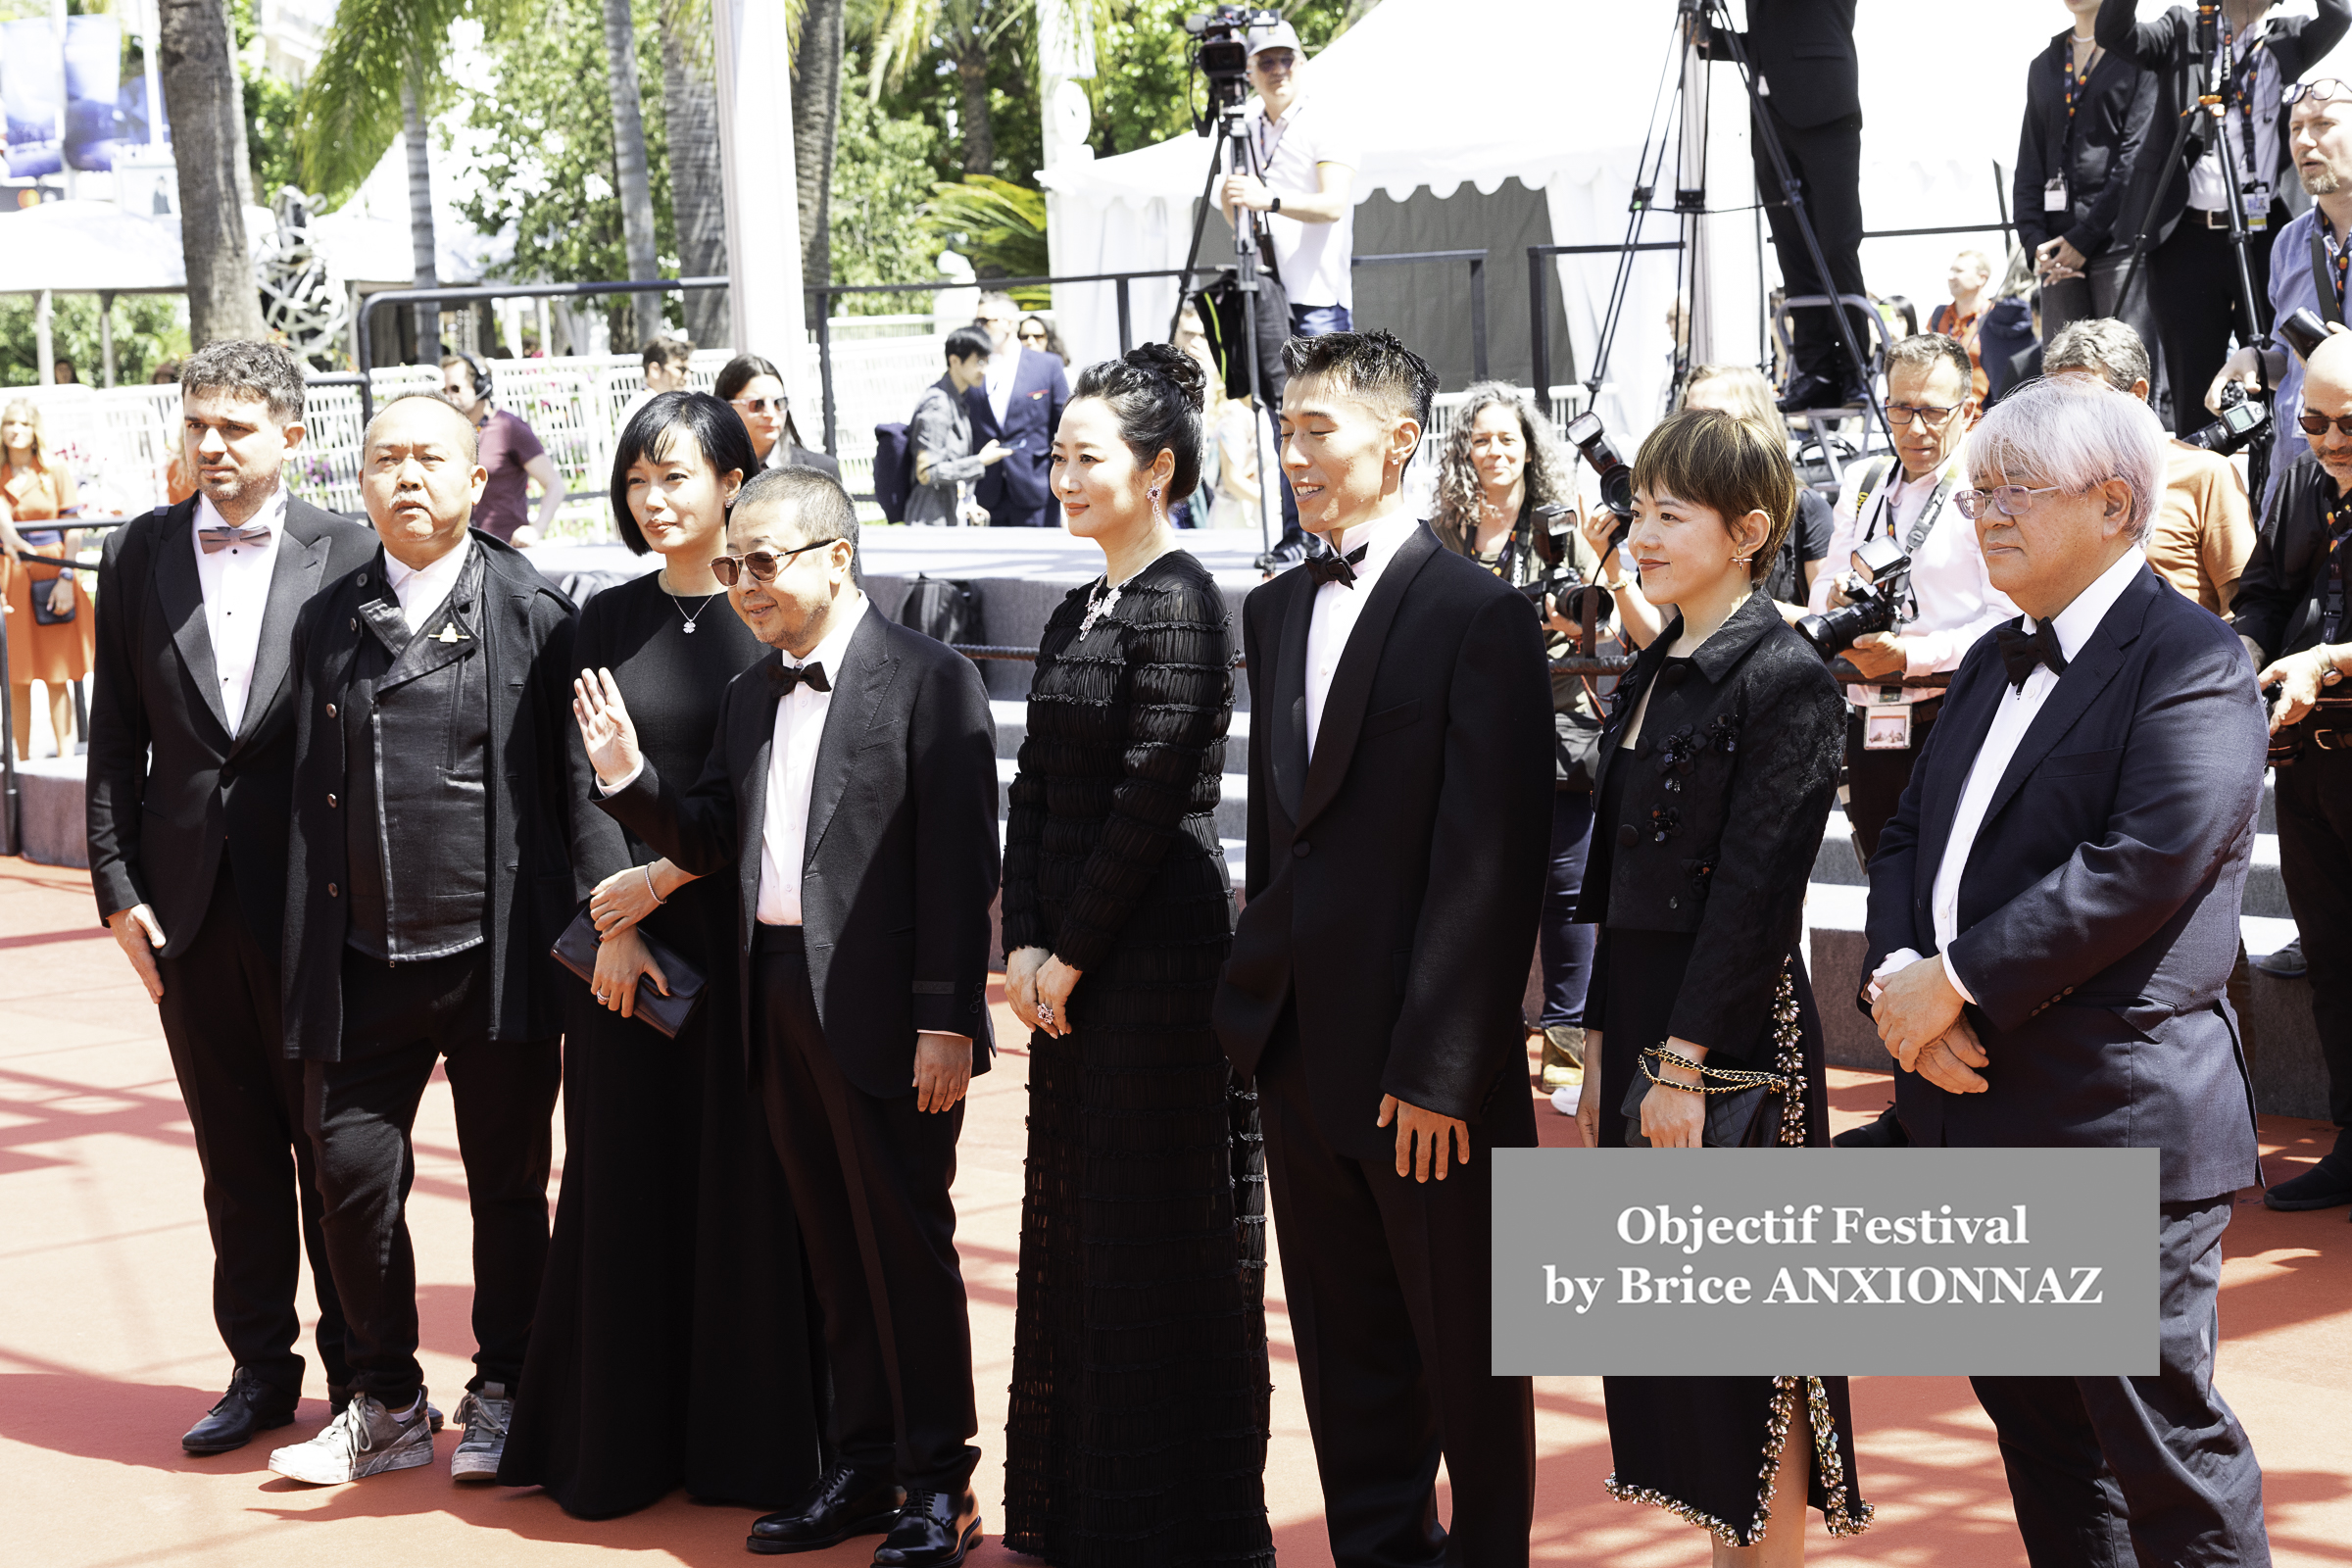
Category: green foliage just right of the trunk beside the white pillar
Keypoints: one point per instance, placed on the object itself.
(883, 168)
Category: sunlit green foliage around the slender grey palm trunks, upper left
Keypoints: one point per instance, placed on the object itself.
(549, 168)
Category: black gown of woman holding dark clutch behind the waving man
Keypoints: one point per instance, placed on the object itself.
(674, 1343)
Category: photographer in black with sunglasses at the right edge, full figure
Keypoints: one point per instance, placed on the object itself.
(2294, 622)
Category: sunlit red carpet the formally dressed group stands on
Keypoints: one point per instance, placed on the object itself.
(107, 1346)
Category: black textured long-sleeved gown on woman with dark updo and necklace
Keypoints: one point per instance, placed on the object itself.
(1140, 1402)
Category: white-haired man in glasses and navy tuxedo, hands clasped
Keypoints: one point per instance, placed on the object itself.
(2069, 862)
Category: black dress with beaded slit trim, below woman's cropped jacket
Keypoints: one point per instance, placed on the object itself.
(1706, 1449)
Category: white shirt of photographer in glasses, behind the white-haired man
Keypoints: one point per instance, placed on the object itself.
(1958, 601)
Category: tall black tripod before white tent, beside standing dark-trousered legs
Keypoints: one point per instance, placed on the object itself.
(1697, 22)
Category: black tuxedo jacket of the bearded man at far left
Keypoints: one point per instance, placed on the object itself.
(168, 784)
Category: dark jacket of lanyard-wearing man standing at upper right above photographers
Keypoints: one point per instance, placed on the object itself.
(2097, 154)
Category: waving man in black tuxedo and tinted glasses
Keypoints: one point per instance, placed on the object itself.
(853, 793)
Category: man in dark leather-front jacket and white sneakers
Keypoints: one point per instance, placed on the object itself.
(429, 878)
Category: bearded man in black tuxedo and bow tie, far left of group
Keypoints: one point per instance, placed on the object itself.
(192, 772)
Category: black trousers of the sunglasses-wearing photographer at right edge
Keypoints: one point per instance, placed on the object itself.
(2316, 862)
